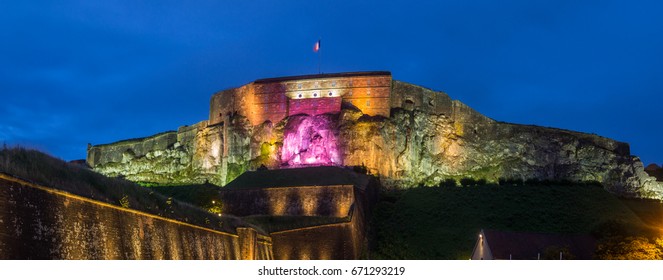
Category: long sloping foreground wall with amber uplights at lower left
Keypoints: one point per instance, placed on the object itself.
(43, 223)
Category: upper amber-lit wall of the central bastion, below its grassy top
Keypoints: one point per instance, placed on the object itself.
(333, 201)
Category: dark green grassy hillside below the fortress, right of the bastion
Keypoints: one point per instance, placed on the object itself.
(442, 223)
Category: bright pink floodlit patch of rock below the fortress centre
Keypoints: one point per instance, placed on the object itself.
(310, 140)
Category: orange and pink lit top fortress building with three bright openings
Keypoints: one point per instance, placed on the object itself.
(274, 99)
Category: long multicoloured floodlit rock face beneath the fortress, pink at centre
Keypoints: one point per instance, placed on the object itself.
(427, 138)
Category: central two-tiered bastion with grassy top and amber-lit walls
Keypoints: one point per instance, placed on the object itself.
(333, 192)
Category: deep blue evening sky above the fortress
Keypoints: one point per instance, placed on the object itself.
(78, 72)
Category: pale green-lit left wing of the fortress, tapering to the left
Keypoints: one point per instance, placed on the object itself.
(193, 154)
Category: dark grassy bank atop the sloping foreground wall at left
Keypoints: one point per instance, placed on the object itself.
(45, 170)
